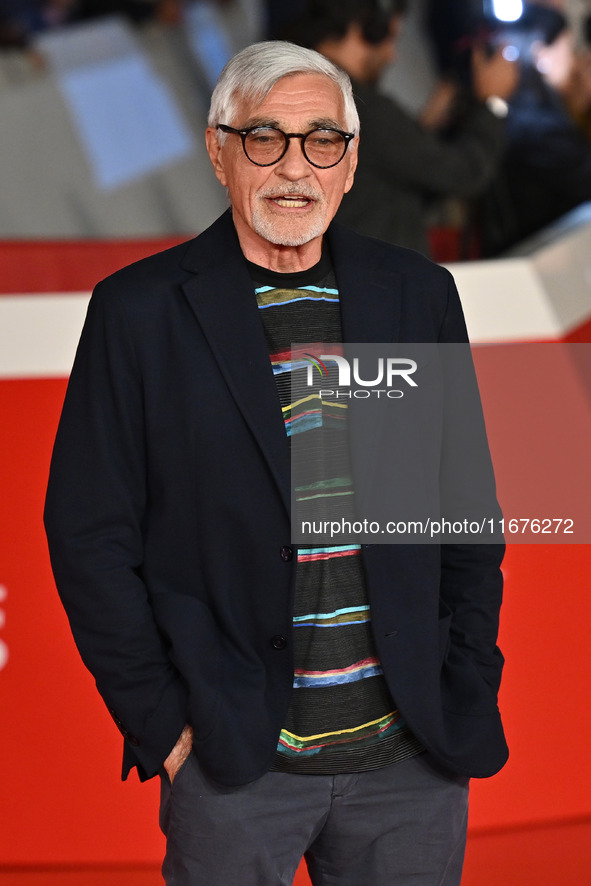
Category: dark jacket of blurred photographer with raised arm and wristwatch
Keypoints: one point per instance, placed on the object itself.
(403, 168)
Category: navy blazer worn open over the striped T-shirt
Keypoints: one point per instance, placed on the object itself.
(168, 517)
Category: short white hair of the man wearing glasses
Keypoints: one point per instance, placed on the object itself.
(251, 74)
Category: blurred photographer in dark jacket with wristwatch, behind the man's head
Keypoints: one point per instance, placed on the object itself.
(405, 163)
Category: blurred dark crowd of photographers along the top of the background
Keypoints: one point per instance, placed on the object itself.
(501, 148)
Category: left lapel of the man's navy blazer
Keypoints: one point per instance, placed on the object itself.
(221, 295)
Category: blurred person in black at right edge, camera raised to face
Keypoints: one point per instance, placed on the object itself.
(546, 169)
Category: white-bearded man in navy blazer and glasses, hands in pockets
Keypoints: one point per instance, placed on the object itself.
(332, 701)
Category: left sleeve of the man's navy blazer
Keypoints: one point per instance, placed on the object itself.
(96, 502)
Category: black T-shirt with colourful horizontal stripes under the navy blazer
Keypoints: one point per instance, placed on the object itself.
(342, 717)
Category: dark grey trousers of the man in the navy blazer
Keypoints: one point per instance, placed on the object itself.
(404, 825)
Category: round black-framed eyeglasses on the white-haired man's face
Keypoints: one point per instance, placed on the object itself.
(266, 145)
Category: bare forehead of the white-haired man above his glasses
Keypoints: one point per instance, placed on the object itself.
(307, 99)
